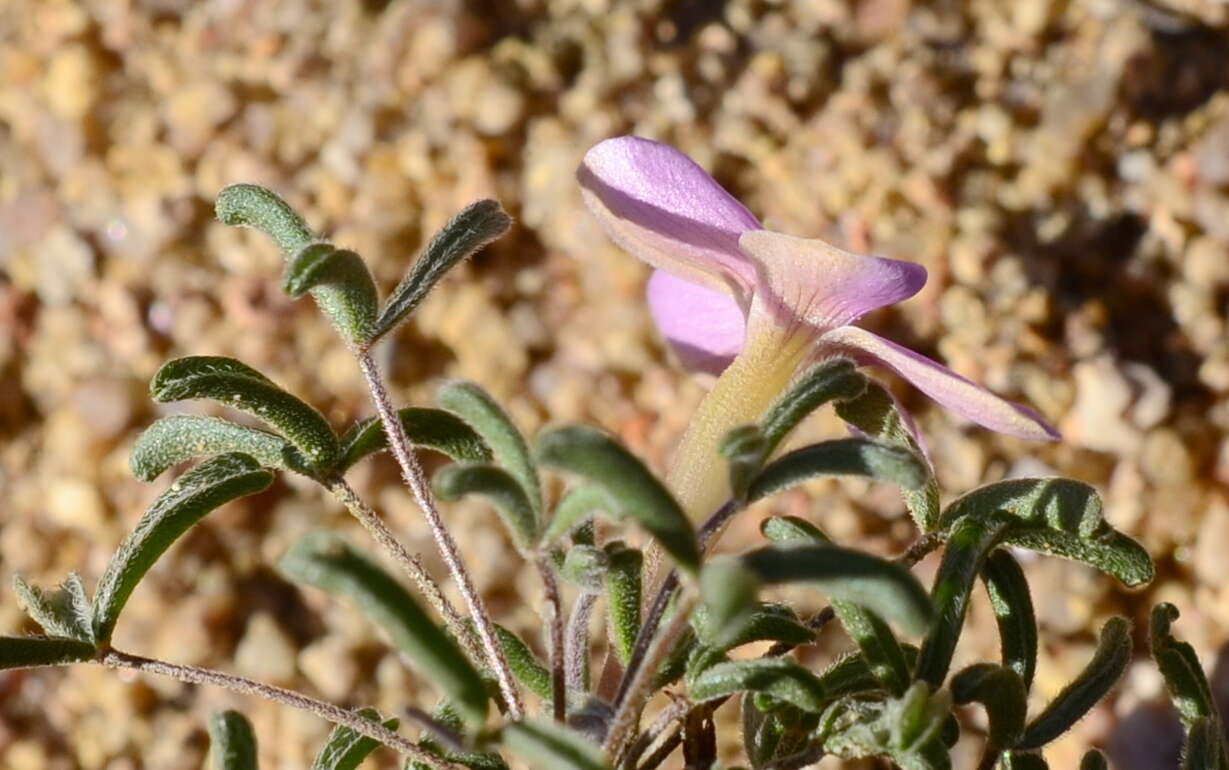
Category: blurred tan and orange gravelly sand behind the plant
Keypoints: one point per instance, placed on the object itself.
(1060, 166)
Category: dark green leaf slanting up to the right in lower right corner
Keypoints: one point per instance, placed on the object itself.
(1103, 672)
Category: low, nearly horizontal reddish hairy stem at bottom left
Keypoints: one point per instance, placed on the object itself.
(192, 675)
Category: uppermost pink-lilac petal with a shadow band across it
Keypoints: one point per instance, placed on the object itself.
(658, 204)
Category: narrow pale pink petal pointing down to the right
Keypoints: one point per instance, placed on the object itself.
(942, 385)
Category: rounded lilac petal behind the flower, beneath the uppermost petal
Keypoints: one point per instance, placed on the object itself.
(706, 329)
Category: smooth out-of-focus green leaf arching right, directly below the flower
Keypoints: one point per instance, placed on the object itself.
(883, 588)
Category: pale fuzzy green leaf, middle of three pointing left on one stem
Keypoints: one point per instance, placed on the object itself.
(181, 438)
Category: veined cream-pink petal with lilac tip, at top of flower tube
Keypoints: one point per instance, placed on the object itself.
(811, 282)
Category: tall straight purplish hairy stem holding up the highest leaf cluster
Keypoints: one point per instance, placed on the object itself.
(416, 481)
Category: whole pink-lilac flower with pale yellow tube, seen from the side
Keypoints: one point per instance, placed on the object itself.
(753, 306)
